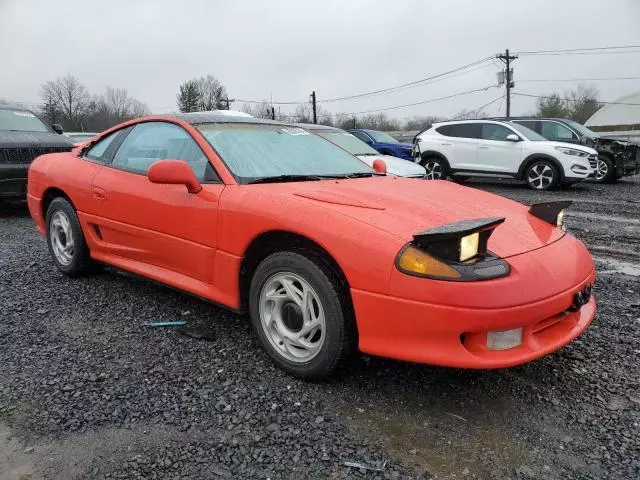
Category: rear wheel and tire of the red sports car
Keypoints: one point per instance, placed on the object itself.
(66, 240)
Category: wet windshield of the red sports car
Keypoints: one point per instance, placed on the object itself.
(254, 151)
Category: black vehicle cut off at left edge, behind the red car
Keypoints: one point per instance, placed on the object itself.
(23, 137)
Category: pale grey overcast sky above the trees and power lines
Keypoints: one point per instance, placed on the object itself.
(285, 49)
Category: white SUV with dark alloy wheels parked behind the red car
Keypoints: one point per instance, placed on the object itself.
(501, 148)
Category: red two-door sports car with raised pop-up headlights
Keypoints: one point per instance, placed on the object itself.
(325, 254)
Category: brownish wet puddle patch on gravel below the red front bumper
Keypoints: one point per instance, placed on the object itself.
(447, 444)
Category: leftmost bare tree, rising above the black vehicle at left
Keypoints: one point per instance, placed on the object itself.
(70, 97)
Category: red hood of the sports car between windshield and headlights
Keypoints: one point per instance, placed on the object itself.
(403, 207)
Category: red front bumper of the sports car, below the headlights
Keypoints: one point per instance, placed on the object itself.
(457, 337)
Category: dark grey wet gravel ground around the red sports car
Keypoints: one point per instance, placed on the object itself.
(88, 391)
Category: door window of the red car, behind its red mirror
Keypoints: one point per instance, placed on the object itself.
(149, 142)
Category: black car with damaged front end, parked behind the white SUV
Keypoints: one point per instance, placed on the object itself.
(616, 158)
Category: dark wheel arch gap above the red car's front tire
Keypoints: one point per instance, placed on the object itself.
(274, 241)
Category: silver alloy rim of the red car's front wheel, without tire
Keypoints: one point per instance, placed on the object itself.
(292, 317)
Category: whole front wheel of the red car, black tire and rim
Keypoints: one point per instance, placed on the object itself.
(299, 316)
